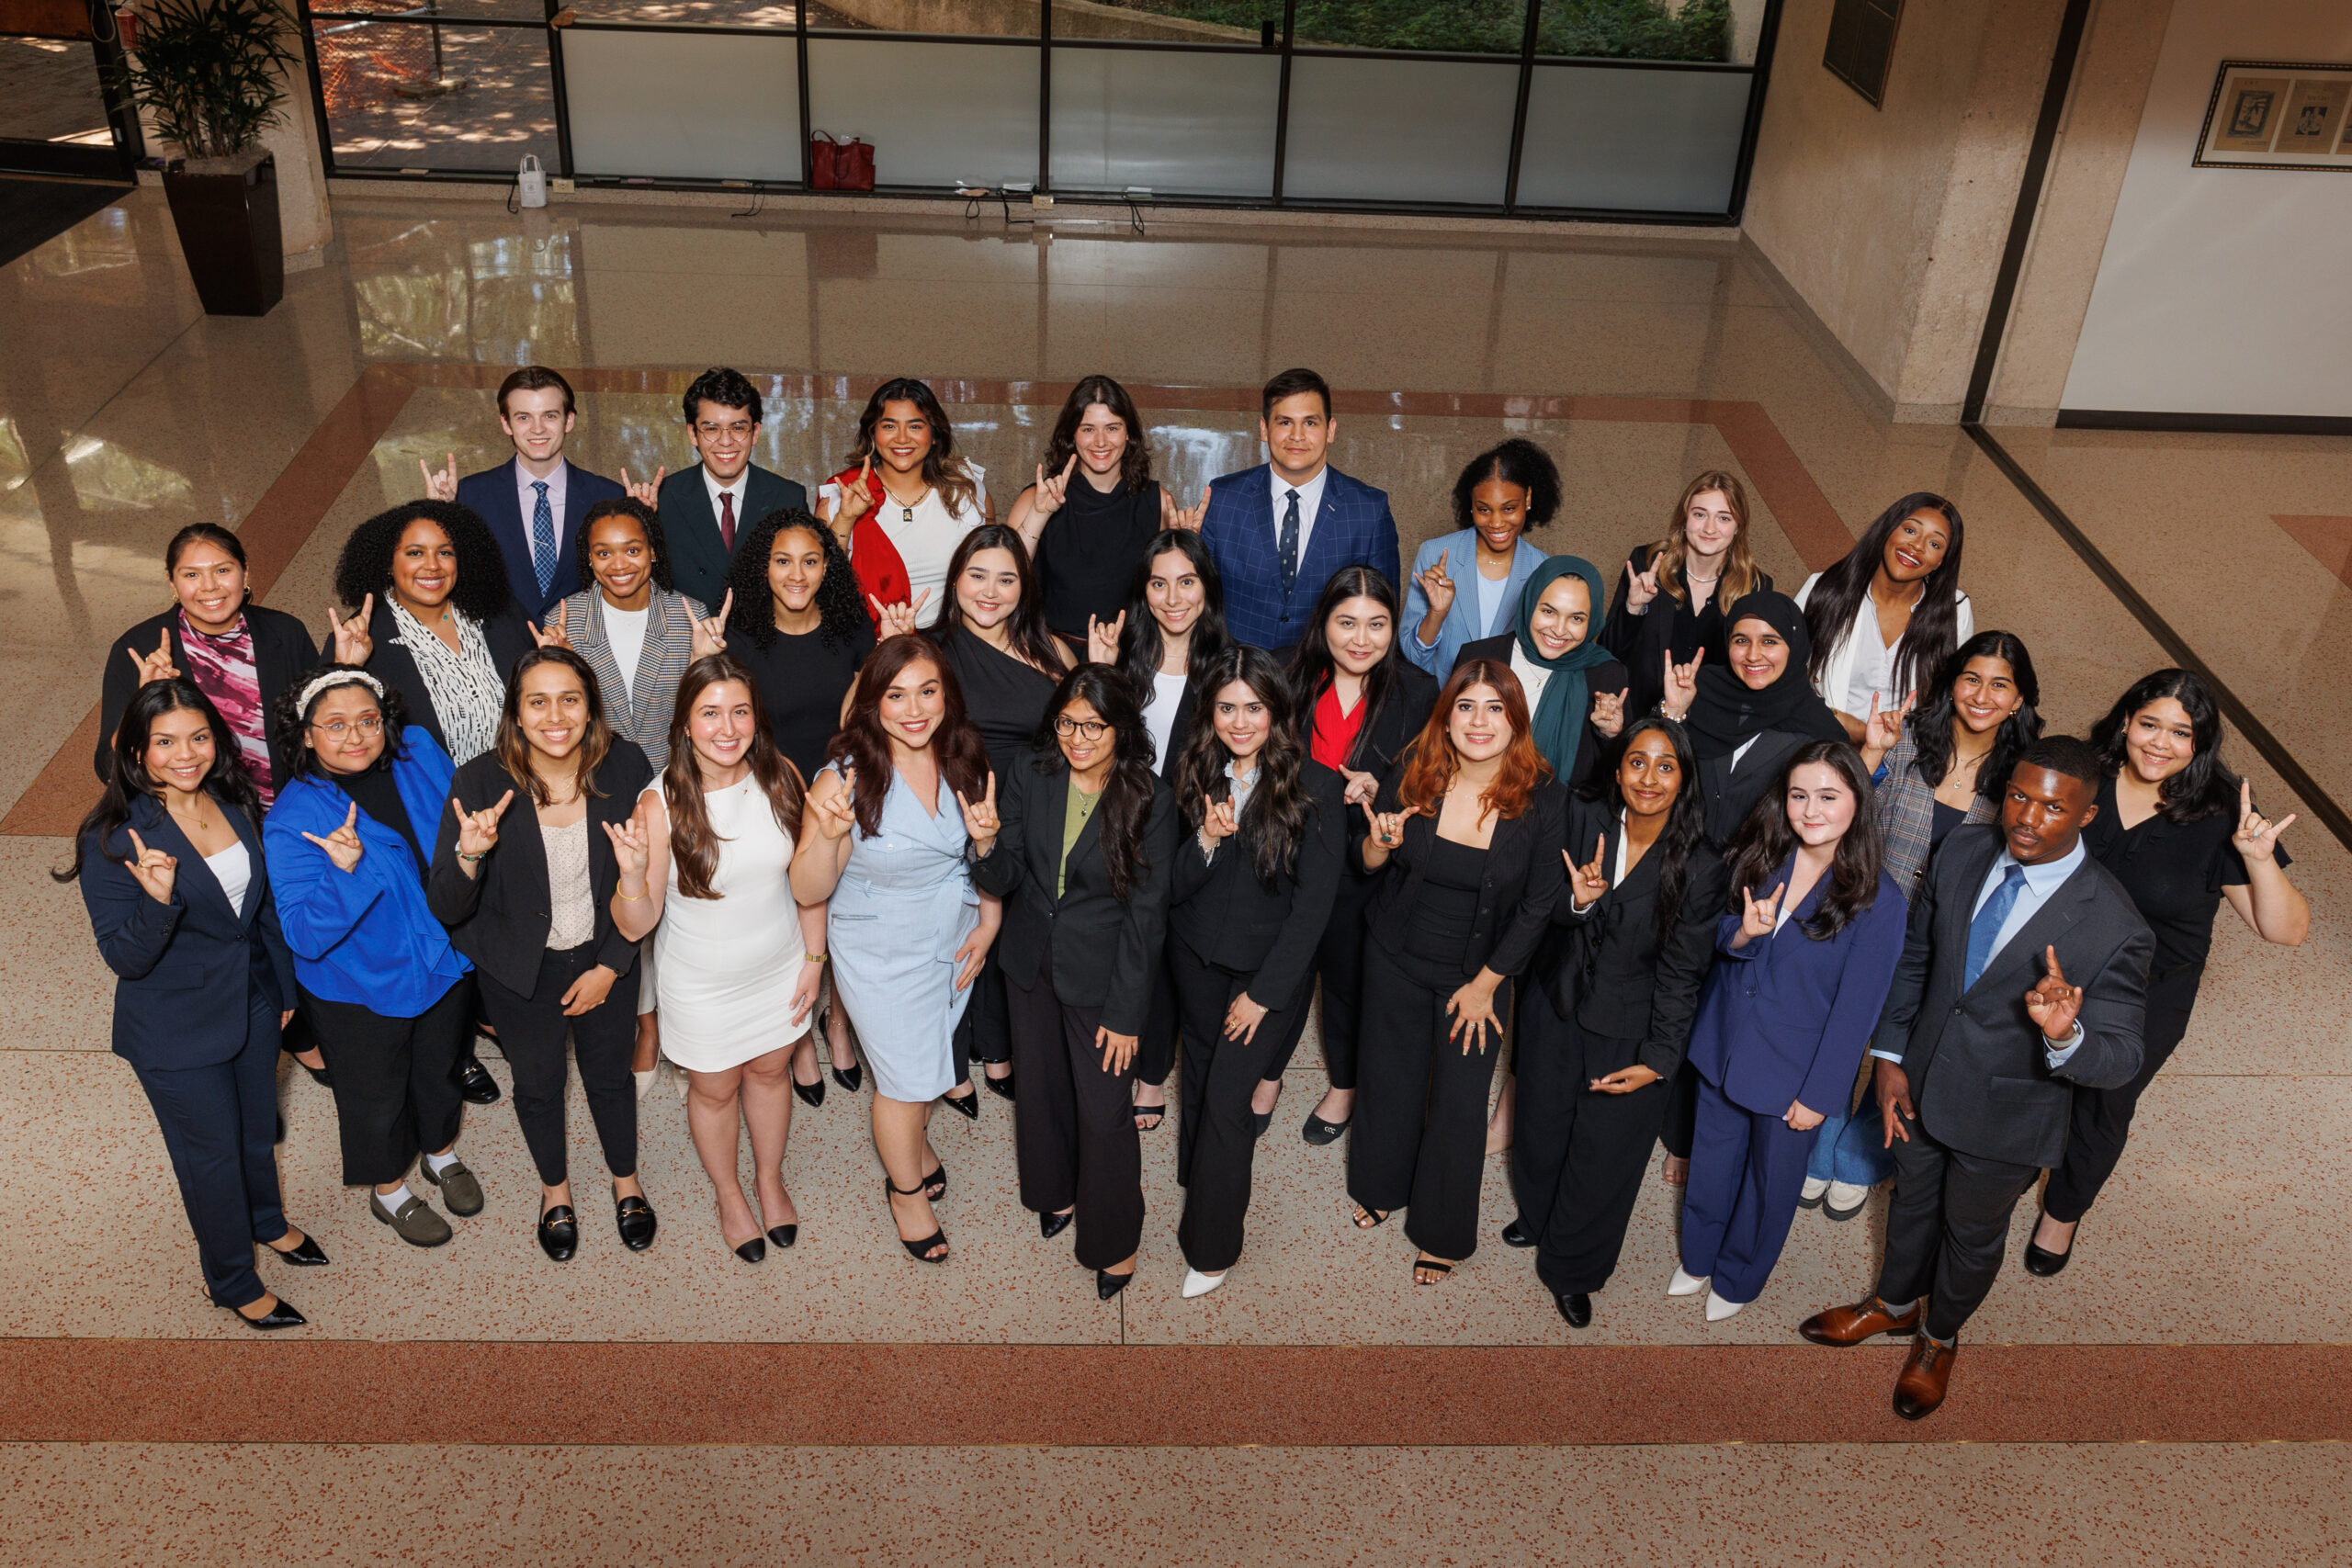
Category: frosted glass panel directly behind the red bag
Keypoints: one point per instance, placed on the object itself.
(935, 114)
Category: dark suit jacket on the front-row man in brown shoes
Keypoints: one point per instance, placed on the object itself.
(1975, 1059)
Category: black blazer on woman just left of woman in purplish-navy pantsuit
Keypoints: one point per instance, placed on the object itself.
(1608, 970)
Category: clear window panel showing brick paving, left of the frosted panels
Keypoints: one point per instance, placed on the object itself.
(406, 95)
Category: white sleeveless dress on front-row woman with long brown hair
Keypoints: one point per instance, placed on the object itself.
(728, 965)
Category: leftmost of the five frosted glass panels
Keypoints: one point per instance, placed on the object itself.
(683, 107)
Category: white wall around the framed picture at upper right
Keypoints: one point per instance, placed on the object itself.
(2224, 290)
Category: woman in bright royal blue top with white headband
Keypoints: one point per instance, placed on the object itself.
(375, 967)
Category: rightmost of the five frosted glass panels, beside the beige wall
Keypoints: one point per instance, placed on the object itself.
(1633, 140)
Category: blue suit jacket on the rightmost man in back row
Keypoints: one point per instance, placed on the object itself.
(1351, 530)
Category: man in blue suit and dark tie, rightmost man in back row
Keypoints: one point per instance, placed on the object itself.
(1281, 530)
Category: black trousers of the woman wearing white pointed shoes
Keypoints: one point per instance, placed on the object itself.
(1215, 1134)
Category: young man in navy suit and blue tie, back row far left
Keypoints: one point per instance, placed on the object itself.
(533, 502)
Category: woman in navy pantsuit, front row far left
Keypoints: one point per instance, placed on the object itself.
(171, 866)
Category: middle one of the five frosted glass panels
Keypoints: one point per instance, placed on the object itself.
(1177, 123)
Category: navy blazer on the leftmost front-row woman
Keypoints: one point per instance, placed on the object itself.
(189, 972)
